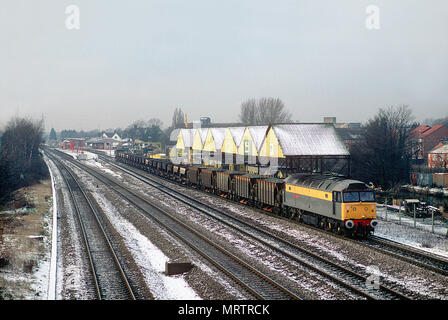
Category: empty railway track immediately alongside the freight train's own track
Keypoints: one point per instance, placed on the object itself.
(343, 276)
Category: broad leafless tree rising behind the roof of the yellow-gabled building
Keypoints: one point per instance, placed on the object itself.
(264, 111)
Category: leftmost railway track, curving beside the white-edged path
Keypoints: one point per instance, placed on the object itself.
(109, 279)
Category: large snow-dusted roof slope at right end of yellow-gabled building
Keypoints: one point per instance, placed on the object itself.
(318, 139)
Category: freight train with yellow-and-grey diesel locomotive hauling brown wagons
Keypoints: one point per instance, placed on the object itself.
(338, 204)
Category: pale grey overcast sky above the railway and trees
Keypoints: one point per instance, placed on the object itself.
(141, 59)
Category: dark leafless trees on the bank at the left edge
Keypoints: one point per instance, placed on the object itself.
(21, 163)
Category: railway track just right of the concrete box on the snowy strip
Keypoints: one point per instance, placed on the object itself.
(254, 281)
